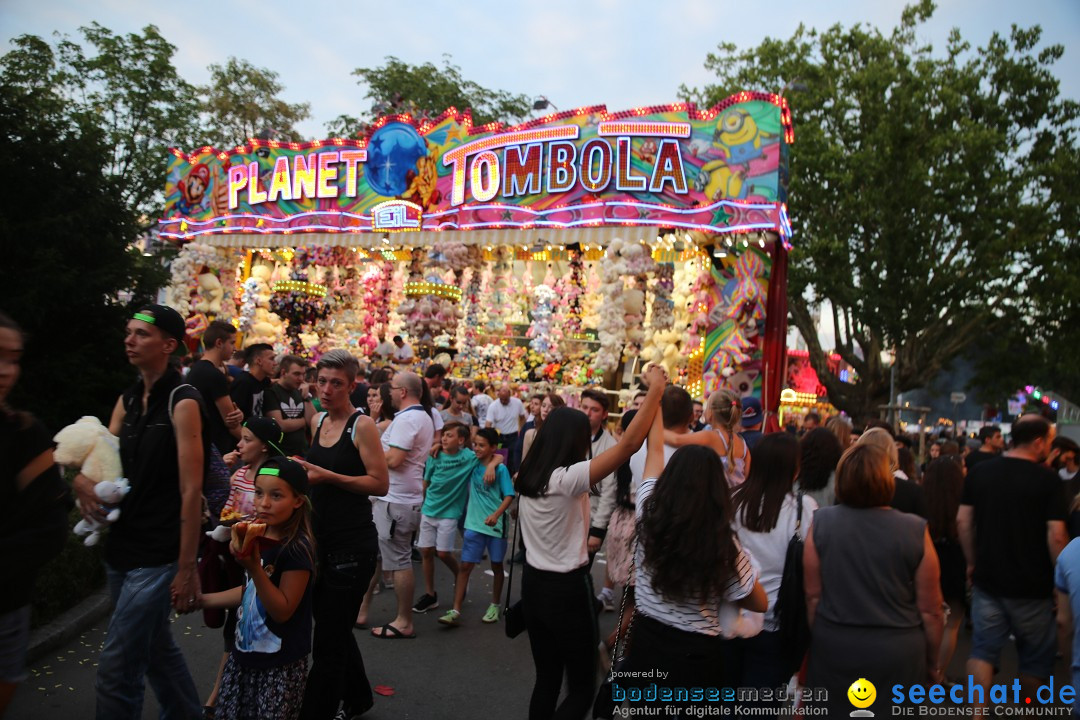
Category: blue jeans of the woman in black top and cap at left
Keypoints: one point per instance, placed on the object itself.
(140, 647)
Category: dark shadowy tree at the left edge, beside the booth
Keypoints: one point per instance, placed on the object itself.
(67, 232)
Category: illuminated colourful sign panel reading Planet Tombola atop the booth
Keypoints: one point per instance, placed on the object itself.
(722, 170)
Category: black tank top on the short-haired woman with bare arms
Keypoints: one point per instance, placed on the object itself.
(343, 520)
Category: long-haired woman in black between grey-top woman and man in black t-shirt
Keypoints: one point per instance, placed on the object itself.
(942, 488)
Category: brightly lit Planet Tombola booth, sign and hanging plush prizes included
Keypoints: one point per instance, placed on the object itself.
(568, 249)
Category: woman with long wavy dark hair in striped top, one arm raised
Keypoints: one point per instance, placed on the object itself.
(690, 566)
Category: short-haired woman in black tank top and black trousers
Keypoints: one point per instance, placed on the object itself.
(345, 466)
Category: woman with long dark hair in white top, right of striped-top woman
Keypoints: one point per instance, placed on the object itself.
(766, 515)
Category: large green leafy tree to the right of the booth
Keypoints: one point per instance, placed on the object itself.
(929, 191)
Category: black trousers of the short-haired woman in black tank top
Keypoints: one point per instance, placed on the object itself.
(337, 669)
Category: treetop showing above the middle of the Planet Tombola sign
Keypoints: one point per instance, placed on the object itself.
(427, 91)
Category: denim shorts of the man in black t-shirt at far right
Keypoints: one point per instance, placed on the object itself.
(1032, 621)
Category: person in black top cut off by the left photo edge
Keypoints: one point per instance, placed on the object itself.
(35, 502)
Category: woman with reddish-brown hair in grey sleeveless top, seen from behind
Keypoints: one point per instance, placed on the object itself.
(872, 583)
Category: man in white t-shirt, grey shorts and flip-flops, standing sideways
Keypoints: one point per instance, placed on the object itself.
(407, 444)
